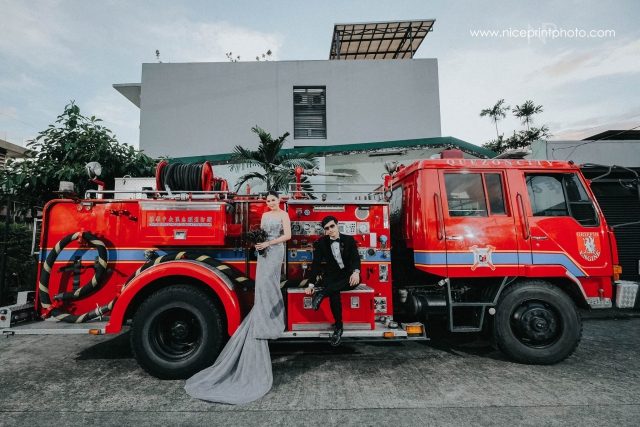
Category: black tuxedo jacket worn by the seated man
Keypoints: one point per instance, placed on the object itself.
(332, 271)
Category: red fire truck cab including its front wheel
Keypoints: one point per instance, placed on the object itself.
(522, 241)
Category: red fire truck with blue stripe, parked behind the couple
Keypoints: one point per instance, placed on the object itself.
(512, 247)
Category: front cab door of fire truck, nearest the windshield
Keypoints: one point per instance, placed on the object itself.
(565, 229)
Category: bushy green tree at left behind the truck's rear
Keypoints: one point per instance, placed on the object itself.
(60, 153)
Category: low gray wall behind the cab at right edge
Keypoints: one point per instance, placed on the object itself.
(605, 152)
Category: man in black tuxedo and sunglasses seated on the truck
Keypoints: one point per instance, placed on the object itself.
(339, 252)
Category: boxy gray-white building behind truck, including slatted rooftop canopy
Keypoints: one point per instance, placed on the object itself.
(378, 102)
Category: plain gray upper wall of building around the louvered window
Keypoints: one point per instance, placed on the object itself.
(208, 108)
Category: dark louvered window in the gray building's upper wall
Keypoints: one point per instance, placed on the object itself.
(310, 112)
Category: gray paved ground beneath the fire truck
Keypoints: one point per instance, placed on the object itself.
(84, 380)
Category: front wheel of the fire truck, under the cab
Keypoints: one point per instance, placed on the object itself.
(537, 323)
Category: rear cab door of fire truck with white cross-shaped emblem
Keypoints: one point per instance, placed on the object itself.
(479, 225)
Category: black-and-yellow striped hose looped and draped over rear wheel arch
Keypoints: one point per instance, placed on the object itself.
(54, 309)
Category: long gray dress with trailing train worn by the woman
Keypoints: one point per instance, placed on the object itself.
(242, 373)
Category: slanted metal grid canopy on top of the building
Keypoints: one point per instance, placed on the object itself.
(379, 40)
